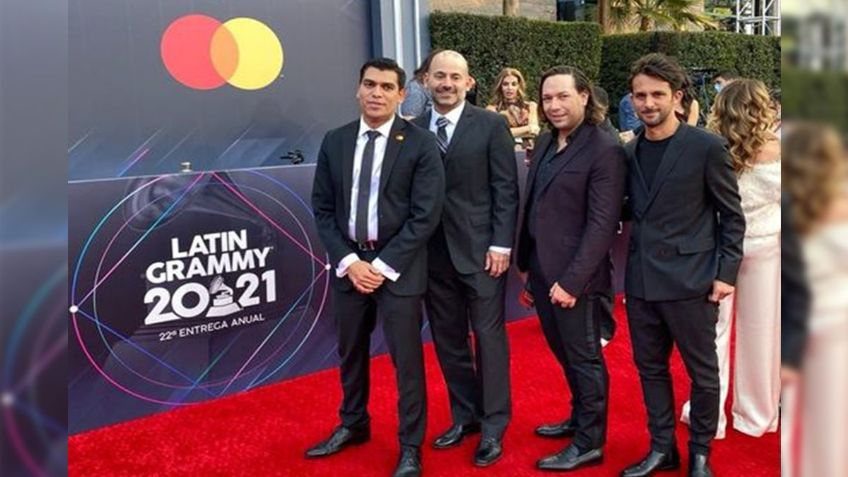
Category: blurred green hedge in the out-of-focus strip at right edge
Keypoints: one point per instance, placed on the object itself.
(821, 96)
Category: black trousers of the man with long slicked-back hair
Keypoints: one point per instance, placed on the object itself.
(573, 335)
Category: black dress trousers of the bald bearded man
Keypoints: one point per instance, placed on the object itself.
(478, 381)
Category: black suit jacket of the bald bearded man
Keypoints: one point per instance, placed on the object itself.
(481, 192)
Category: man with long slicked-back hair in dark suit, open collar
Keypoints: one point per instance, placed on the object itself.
(575, 189)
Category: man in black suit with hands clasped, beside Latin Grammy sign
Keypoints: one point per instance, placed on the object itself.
(378, 193)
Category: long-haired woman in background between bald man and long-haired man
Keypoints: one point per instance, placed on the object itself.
(509, 99)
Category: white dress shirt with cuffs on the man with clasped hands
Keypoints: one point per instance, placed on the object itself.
(376, 170)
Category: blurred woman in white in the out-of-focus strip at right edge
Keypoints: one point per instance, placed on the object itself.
(816, 181)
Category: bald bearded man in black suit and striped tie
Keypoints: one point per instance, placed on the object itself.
(469, 255)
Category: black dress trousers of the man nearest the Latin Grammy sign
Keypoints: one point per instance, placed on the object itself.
(355, 316)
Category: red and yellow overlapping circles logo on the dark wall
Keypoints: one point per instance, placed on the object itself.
(202, 53)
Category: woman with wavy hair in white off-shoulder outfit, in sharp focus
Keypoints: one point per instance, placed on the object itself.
(744, 116)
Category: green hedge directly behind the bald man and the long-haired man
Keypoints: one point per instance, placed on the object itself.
(492, 43)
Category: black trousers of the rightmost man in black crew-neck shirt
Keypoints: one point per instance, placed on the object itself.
(691, 324)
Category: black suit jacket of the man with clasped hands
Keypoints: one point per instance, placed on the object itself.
(411, 194)
